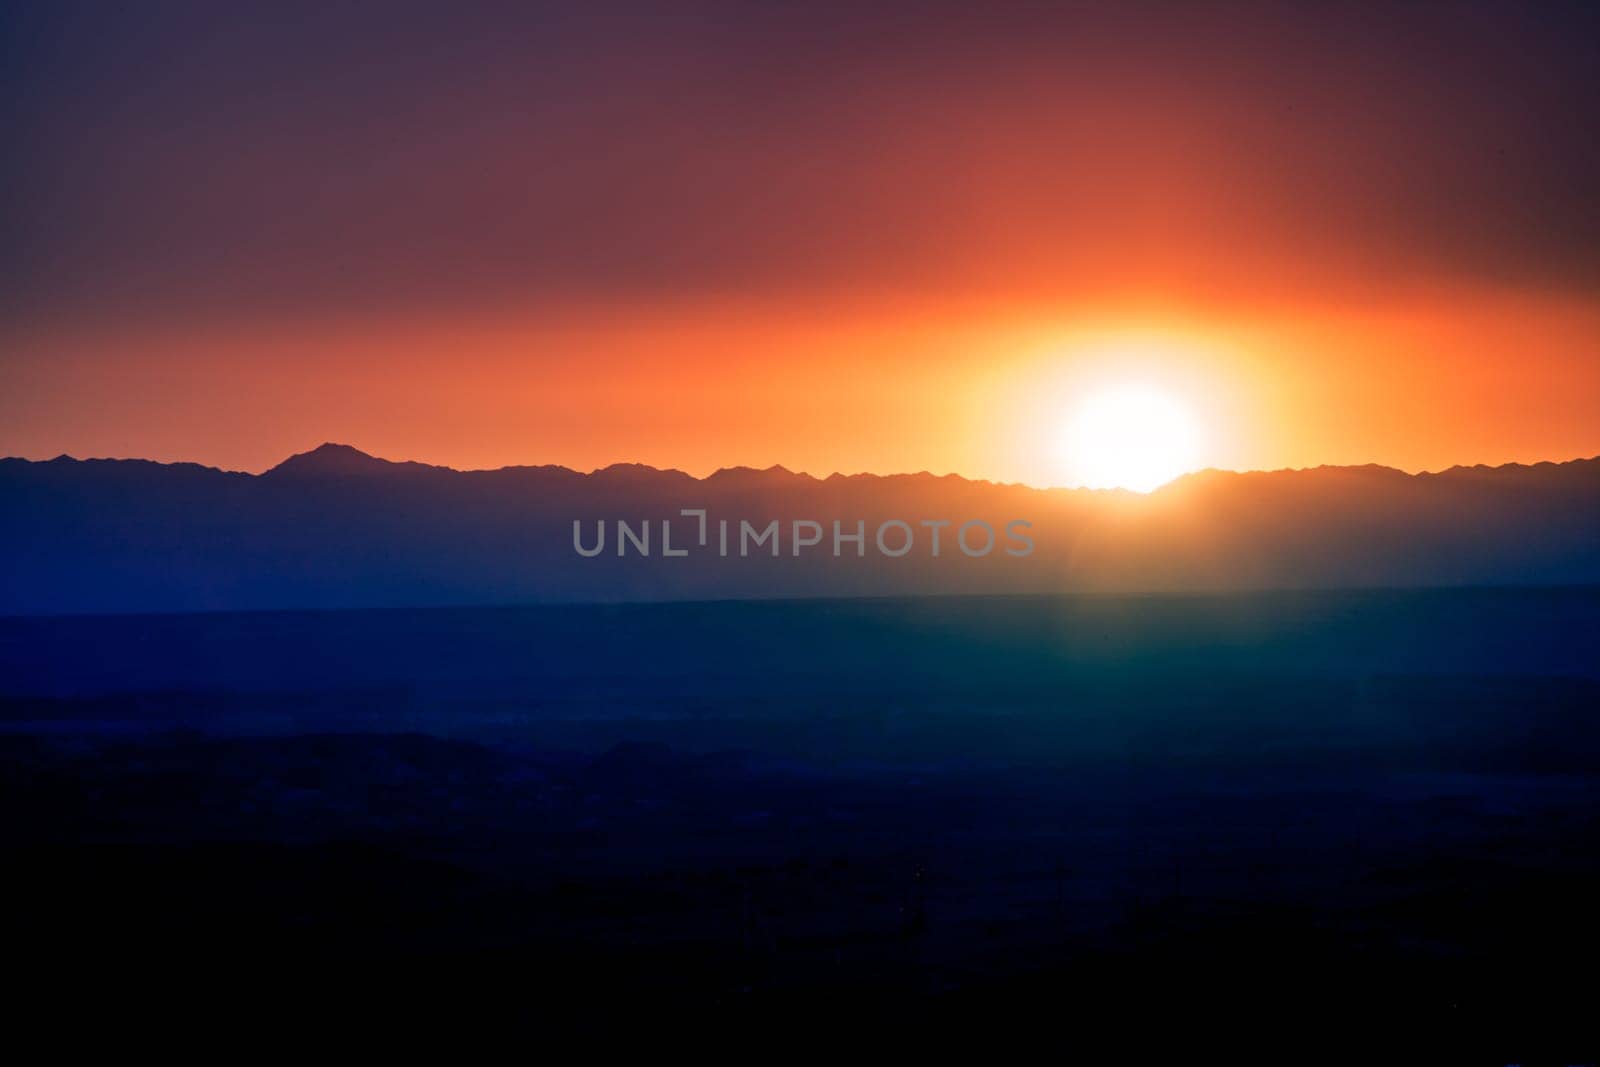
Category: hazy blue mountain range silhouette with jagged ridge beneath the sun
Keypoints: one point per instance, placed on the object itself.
(340, 529)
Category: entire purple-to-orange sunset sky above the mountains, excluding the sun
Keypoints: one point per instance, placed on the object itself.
(834, 238)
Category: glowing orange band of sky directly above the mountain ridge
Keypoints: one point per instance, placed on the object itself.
(985, 393)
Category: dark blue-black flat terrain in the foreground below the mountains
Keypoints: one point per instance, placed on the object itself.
(1321, 818)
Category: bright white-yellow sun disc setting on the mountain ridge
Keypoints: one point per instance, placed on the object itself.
(1130, 438)
